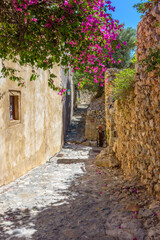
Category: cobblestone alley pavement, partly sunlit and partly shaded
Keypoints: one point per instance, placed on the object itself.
(68, 198)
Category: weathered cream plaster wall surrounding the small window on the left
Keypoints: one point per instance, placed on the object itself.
(38, 135)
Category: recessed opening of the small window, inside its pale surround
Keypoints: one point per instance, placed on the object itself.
(14, 107)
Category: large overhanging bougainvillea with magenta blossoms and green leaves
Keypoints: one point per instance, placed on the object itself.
(70, 33)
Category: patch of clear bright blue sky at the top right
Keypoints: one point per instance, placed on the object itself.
(125, 12)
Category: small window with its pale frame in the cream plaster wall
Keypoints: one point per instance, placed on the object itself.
(14, 105)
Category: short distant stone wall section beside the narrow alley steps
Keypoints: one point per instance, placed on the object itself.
(95, 118)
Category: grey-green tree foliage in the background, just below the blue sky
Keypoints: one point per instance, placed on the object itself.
(124, 54)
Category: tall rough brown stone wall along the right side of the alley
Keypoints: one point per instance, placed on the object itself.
(133, 126)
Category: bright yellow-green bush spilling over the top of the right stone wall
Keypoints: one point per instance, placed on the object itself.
(124, 83)
